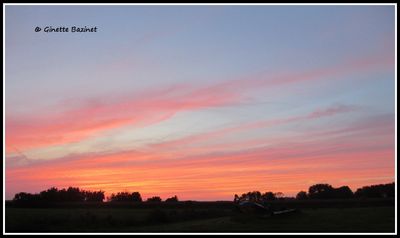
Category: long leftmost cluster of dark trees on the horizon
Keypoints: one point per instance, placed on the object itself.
(63, 195)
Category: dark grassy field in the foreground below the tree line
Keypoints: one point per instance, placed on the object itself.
(353, 216)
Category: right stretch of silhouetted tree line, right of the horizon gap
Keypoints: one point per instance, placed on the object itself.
(323, 191)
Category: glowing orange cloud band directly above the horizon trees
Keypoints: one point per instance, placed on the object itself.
(214, 176)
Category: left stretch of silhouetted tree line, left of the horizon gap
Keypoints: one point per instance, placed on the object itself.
(73, 194)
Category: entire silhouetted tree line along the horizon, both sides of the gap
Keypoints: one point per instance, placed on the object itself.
(317, 191)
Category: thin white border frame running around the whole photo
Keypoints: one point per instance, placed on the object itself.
(197, 4)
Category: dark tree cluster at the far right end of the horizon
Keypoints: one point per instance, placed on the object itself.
(376, 191)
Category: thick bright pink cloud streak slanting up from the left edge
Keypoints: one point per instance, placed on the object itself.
(95, 117)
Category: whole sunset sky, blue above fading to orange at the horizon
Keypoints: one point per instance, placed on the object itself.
(201, 102)
